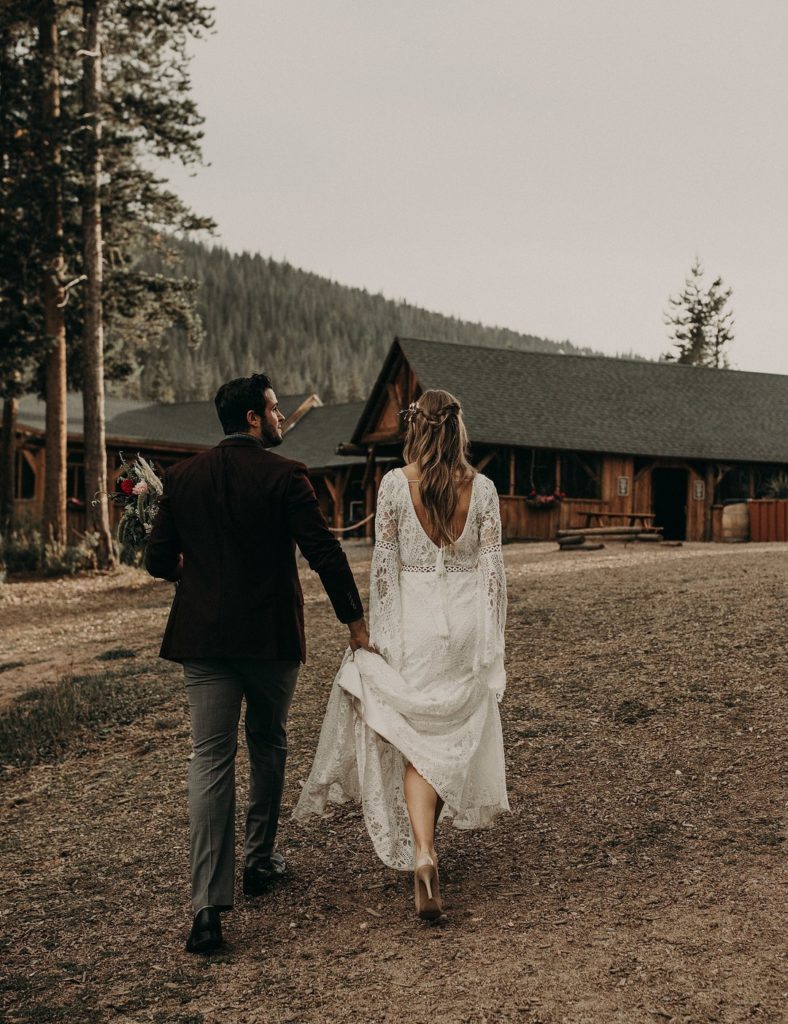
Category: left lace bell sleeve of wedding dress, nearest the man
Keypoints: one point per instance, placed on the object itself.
(385, 601)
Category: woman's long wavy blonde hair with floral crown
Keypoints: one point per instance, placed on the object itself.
(437, 441)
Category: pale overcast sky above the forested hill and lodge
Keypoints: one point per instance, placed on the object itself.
(544, 165)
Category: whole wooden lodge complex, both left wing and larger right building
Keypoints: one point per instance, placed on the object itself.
(602, 435)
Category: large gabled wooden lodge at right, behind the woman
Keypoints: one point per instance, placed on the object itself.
(609, 435)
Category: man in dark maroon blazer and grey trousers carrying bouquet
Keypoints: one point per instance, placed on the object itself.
(227, 531)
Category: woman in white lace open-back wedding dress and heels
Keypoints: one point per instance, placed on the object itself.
(413, 730)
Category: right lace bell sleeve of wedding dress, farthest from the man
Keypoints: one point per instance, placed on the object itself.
(494, 590)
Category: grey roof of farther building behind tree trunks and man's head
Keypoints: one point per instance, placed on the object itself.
(186, 424)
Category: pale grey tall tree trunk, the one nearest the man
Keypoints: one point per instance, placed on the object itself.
(94, 340)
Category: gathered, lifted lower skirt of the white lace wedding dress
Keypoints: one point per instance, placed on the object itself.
(374, 727)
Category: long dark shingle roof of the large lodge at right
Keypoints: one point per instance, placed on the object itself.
(595, 404)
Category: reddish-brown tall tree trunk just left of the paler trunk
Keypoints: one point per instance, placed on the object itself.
(55, 292)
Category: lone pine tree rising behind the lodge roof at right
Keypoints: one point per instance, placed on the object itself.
(702, 328)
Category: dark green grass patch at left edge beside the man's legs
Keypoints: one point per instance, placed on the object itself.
(50, 721)
